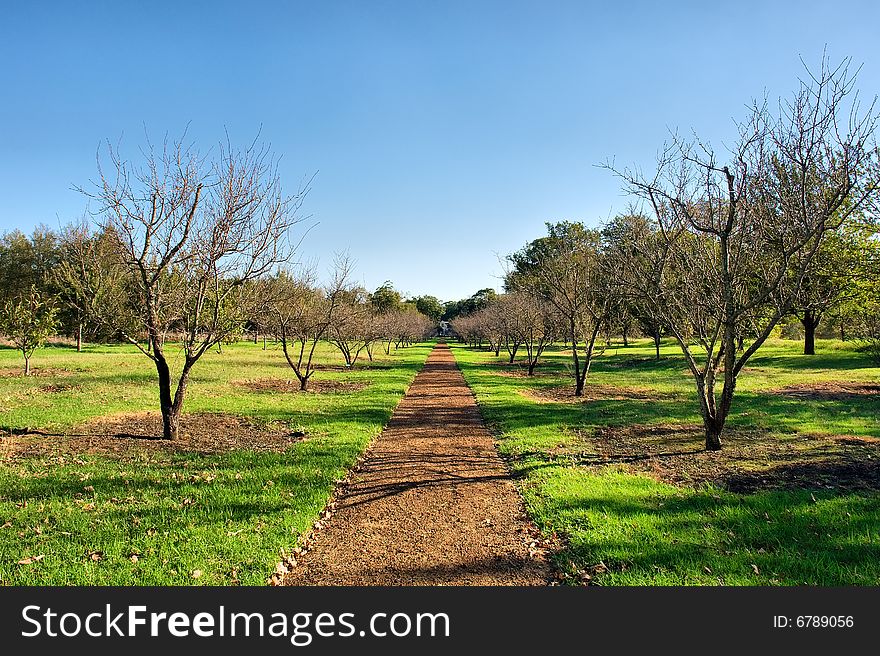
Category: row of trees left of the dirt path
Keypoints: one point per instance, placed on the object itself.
(195, 250)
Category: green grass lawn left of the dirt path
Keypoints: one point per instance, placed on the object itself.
(142, 513)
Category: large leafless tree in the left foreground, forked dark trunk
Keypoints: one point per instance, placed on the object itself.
(192, 233)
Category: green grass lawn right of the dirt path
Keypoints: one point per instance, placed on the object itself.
(622, 479)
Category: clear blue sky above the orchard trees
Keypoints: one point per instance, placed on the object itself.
(444, 134)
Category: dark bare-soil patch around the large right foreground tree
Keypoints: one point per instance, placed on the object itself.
(751, 459)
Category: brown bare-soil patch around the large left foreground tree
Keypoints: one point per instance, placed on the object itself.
(133, 434)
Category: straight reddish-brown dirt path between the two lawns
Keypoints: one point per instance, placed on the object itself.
(432, 504)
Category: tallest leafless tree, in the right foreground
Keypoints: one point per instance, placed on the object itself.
(732, 242)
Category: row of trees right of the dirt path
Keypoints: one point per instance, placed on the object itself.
(717, 253)
